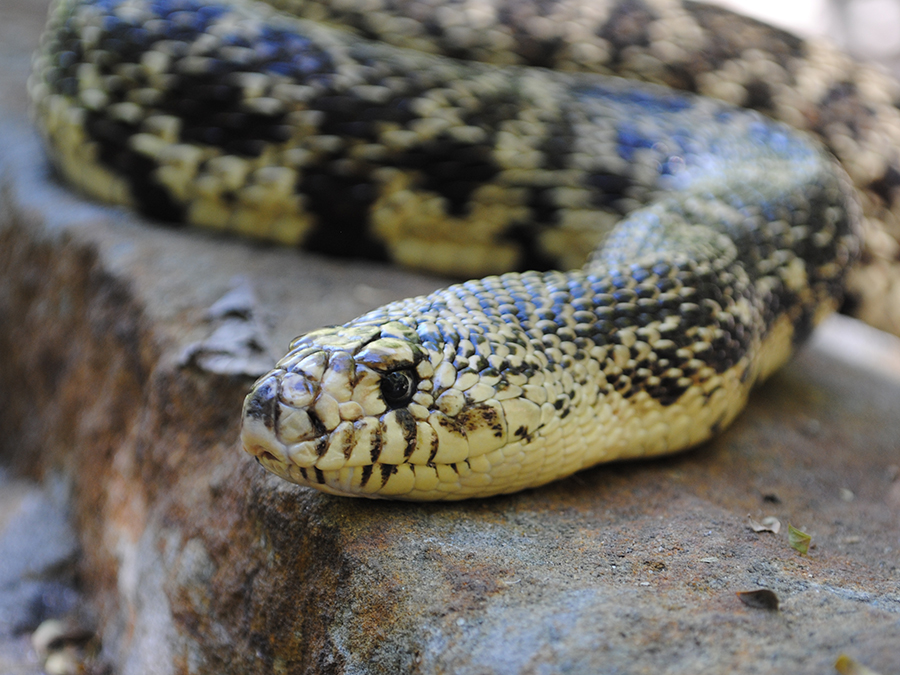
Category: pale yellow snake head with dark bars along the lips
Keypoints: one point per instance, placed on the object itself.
(362, 410)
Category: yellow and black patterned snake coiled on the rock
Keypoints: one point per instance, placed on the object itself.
(474, 137)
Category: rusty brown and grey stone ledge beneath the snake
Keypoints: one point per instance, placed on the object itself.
(199, 562)
